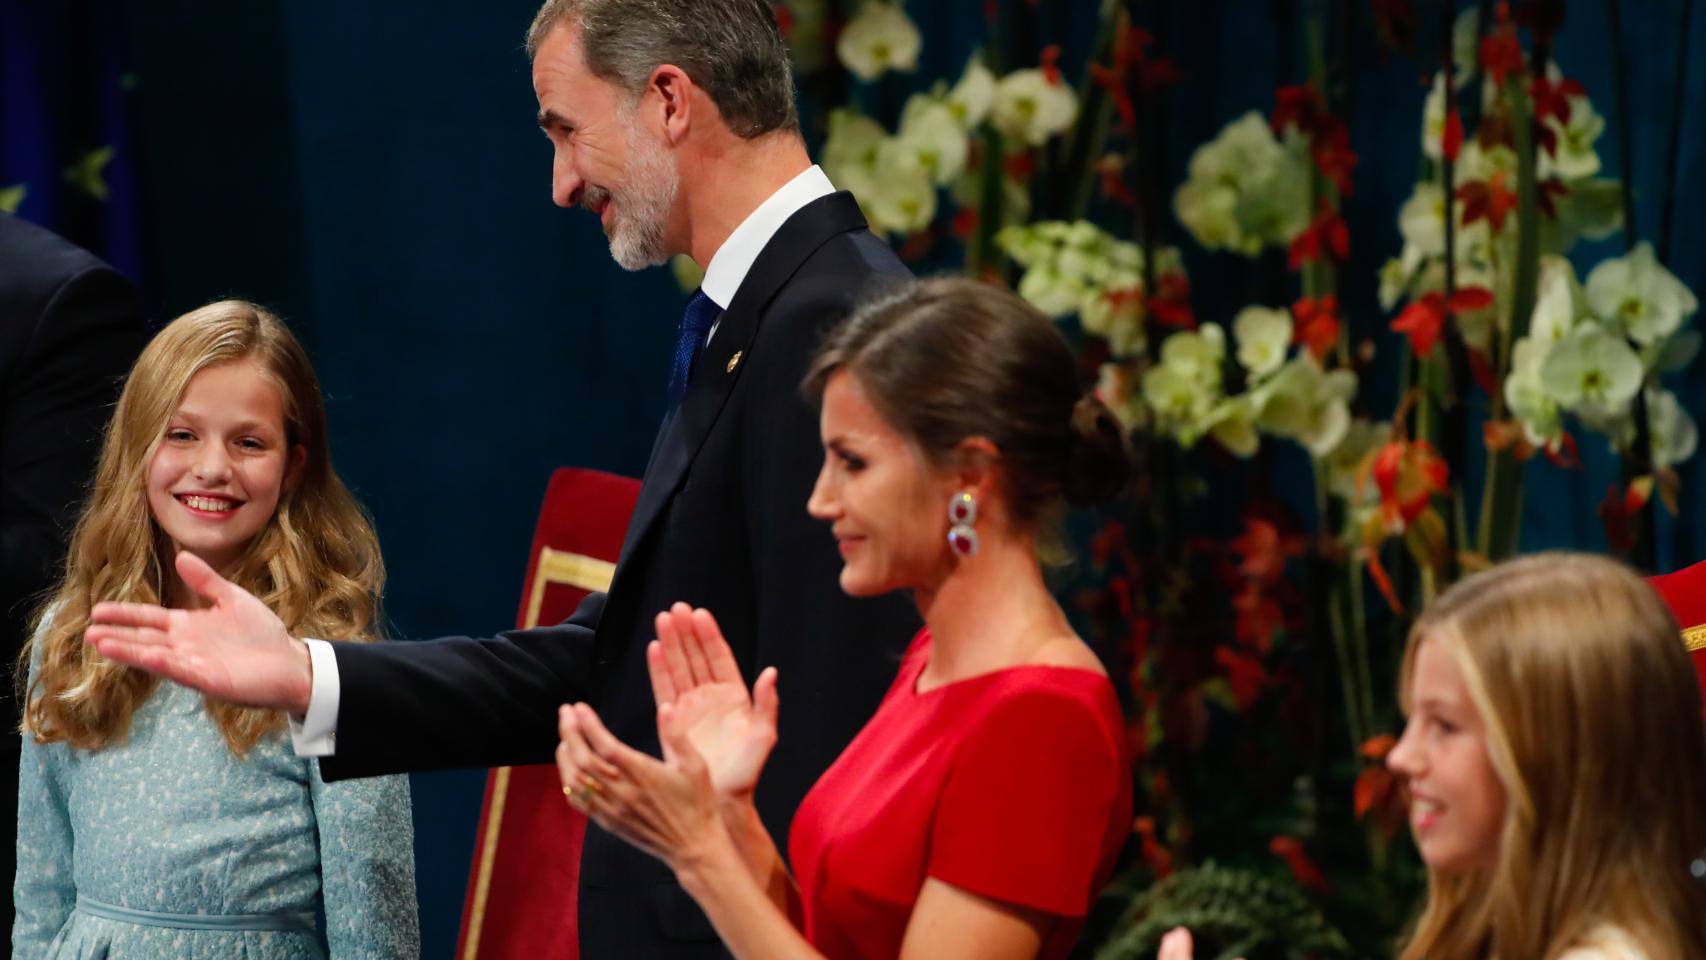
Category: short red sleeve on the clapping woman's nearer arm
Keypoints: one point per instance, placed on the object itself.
(1036, 797)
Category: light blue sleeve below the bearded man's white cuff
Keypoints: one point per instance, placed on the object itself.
(368, 867)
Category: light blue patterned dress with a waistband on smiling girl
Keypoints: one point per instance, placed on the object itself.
(173, 823)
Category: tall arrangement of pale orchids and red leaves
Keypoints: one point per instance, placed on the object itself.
(1251, 654)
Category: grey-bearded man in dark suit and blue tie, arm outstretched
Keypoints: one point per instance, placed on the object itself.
(675, 122)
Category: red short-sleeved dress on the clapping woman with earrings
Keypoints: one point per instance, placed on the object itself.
(1013, 785)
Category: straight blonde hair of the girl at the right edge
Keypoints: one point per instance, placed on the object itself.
(1594, 726)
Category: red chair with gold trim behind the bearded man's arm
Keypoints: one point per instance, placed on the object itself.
(523, 884)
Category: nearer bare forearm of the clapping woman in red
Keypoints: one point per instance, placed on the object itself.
(751, 925)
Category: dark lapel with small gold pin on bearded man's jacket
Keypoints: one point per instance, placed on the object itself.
(714, 376)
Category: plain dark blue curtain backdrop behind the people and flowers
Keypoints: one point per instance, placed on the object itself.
(373, 173)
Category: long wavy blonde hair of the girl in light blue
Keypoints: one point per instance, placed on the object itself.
(316, 564)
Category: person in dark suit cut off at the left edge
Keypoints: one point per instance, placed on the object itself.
(69, 332)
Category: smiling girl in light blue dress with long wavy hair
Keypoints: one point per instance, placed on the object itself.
(160, 824)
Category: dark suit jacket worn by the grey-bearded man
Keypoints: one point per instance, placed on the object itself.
(721, 524)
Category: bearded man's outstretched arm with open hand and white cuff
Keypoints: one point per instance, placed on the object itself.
(403, 707)
